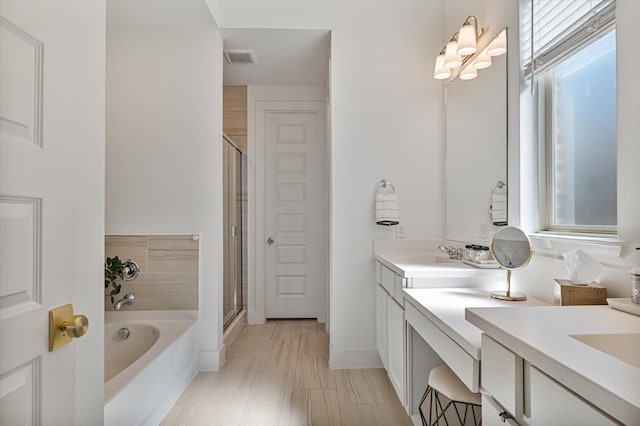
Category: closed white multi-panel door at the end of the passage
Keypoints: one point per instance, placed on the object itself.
(296, 209)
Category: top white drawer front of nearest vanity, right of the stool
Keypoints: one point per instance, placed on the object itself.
(502, 375)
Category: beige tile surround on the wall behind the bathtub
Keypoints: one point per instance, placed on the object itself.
(168, 277)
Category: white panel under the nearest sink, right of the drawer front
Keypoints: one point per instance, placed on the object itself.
(554, 404)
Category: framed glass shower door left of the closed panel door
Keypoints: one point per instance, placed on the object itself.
(234, 298)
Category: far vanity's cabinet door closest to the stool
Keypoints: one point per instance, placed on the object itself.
(396, 344)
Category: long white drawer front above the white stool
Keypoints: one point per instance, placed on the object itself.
(464, 365)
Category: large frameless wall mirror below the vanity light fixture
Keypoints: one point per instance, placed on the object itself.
(476, 154)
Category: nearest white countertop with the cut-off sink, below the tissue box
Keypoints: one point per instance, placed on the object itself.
(542, 336)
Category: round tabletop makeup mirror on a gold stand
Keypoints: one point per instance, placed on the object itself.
(512, 249)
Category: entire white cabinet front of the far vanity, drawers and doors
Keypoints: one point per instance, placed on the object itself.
(391, 328)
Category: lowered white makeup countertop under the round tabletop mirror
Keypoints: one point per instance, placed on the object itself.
(445, 307)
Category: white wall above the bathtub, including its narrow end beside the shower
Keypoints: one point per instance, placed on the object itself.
(164, 130)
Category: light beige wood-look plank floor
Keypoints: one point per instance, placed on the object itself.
(277, 374)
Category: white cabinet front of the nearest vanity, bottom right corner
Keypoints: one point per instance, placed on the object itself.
(517, 392)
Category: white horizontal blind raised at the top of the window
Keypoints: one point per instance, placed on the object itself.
(558, 27)
